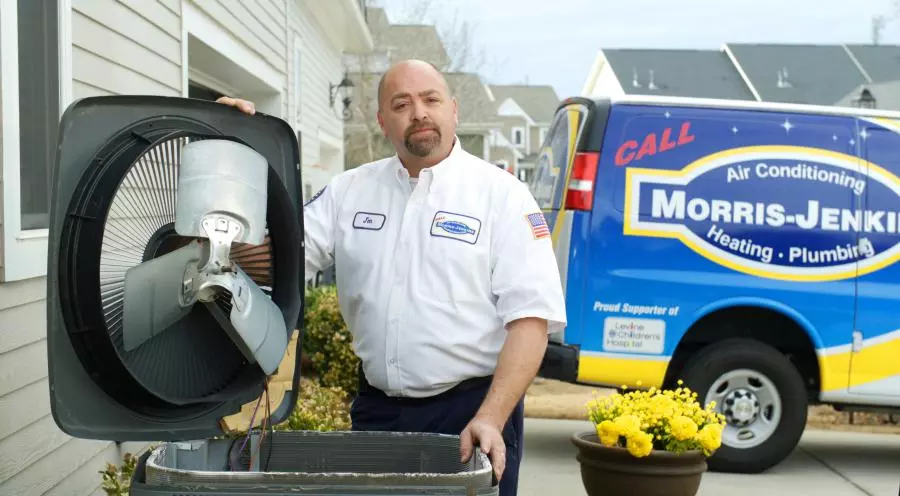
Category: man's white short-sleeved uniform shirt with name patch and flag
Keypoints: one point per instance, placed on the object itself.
(428, 275)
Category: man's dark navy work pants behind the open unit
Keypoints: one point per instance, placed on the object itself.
(447, 413)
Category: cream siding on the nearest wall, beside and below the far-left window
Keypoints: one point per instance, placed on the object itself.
(117, 48)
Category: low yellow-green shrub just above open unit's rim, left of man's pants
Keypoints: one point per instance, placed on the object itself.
(319, 408)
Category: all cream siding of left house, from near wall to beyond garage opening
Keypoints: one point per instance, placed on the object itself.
(135, 47)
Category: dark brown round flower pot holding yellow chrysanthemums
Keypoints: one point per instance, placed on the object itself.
(613, 471)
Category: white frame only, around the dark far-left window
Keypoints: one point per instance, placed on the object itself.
(24, 251)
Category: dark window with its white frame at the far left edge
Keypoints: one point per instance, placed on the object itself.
(35, 56)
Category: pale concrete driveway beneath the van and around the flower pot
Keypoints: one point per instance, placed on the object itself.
(825, 463)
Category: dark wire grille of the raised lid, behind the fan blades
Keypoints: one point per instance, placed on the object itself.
(194, 357)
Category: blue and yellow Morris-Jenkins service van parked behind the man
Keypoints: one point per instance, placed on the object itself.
(746, 248)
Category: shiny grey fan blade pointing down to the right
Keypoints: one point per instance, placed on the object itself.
(258, 322)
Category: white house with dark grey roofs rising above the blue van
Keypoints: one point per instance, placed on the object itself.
(788, 73)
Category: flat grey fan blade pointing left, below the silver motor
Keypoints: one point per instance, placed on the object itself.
(159, 293)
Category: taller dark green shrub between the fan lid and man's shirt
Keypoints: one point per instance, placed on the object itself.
(327, 341)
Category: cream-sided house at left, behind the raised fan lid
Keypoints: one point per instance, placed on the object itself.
(283, 54)
